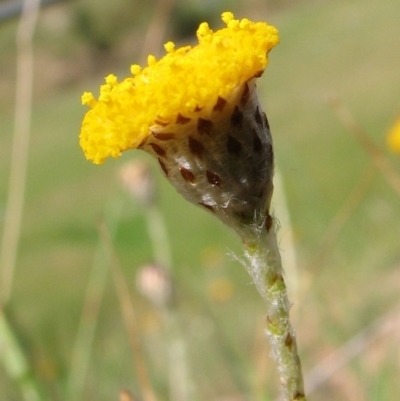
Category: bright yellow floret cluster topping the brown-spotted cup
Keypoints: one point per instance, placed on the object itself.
(184, 82)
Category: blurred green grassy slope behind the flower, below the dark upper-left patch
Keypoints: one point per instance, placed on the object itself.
(348, 48)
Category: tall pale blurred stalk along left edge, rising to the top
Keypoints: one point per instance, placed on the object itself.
(19, 155)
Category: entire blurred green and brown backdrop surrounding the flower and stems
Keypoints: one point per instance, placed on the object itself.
(341, 243)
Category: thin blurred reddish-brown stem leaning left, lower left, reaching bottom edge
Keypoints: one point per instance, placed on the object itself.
(128, 314)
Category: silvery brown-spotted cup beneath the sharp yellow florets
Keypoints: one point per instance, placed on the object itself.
(221, 158)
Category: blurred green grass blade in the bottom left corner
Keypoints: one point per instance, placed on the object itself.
(15, 362)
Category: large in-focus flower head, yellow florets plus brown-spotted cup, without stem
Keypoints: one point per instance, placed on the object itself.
(196, 111)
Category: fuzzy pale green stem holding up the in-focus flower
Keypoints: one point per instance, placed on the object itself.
(265, 268)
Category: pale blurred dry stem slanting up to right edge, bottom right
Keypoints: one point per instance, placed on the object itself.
(352, 348)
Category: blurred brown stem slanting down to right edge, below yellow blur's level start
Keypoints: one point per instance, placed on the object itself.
(375, 153)
